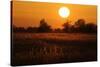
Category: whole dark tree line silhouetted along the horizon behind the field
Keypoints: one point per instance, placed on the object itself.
(80, 26)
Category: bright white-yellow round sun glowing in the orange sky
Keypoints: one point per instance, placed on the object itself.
(64, 12)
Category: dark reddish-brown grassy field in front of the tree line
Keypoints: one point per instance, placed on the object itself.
(47, 48)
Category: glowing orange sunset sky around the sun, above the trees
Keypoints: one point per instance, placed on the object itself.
(25, 14)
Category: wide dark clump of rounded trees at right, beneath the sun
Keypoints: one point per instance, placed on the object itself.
(79, 26)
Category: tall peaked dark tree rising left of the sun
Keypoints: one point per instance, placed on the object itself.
(44, 27)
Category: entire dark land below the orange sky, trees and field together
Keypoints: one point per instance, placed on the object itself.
(44, 45)
